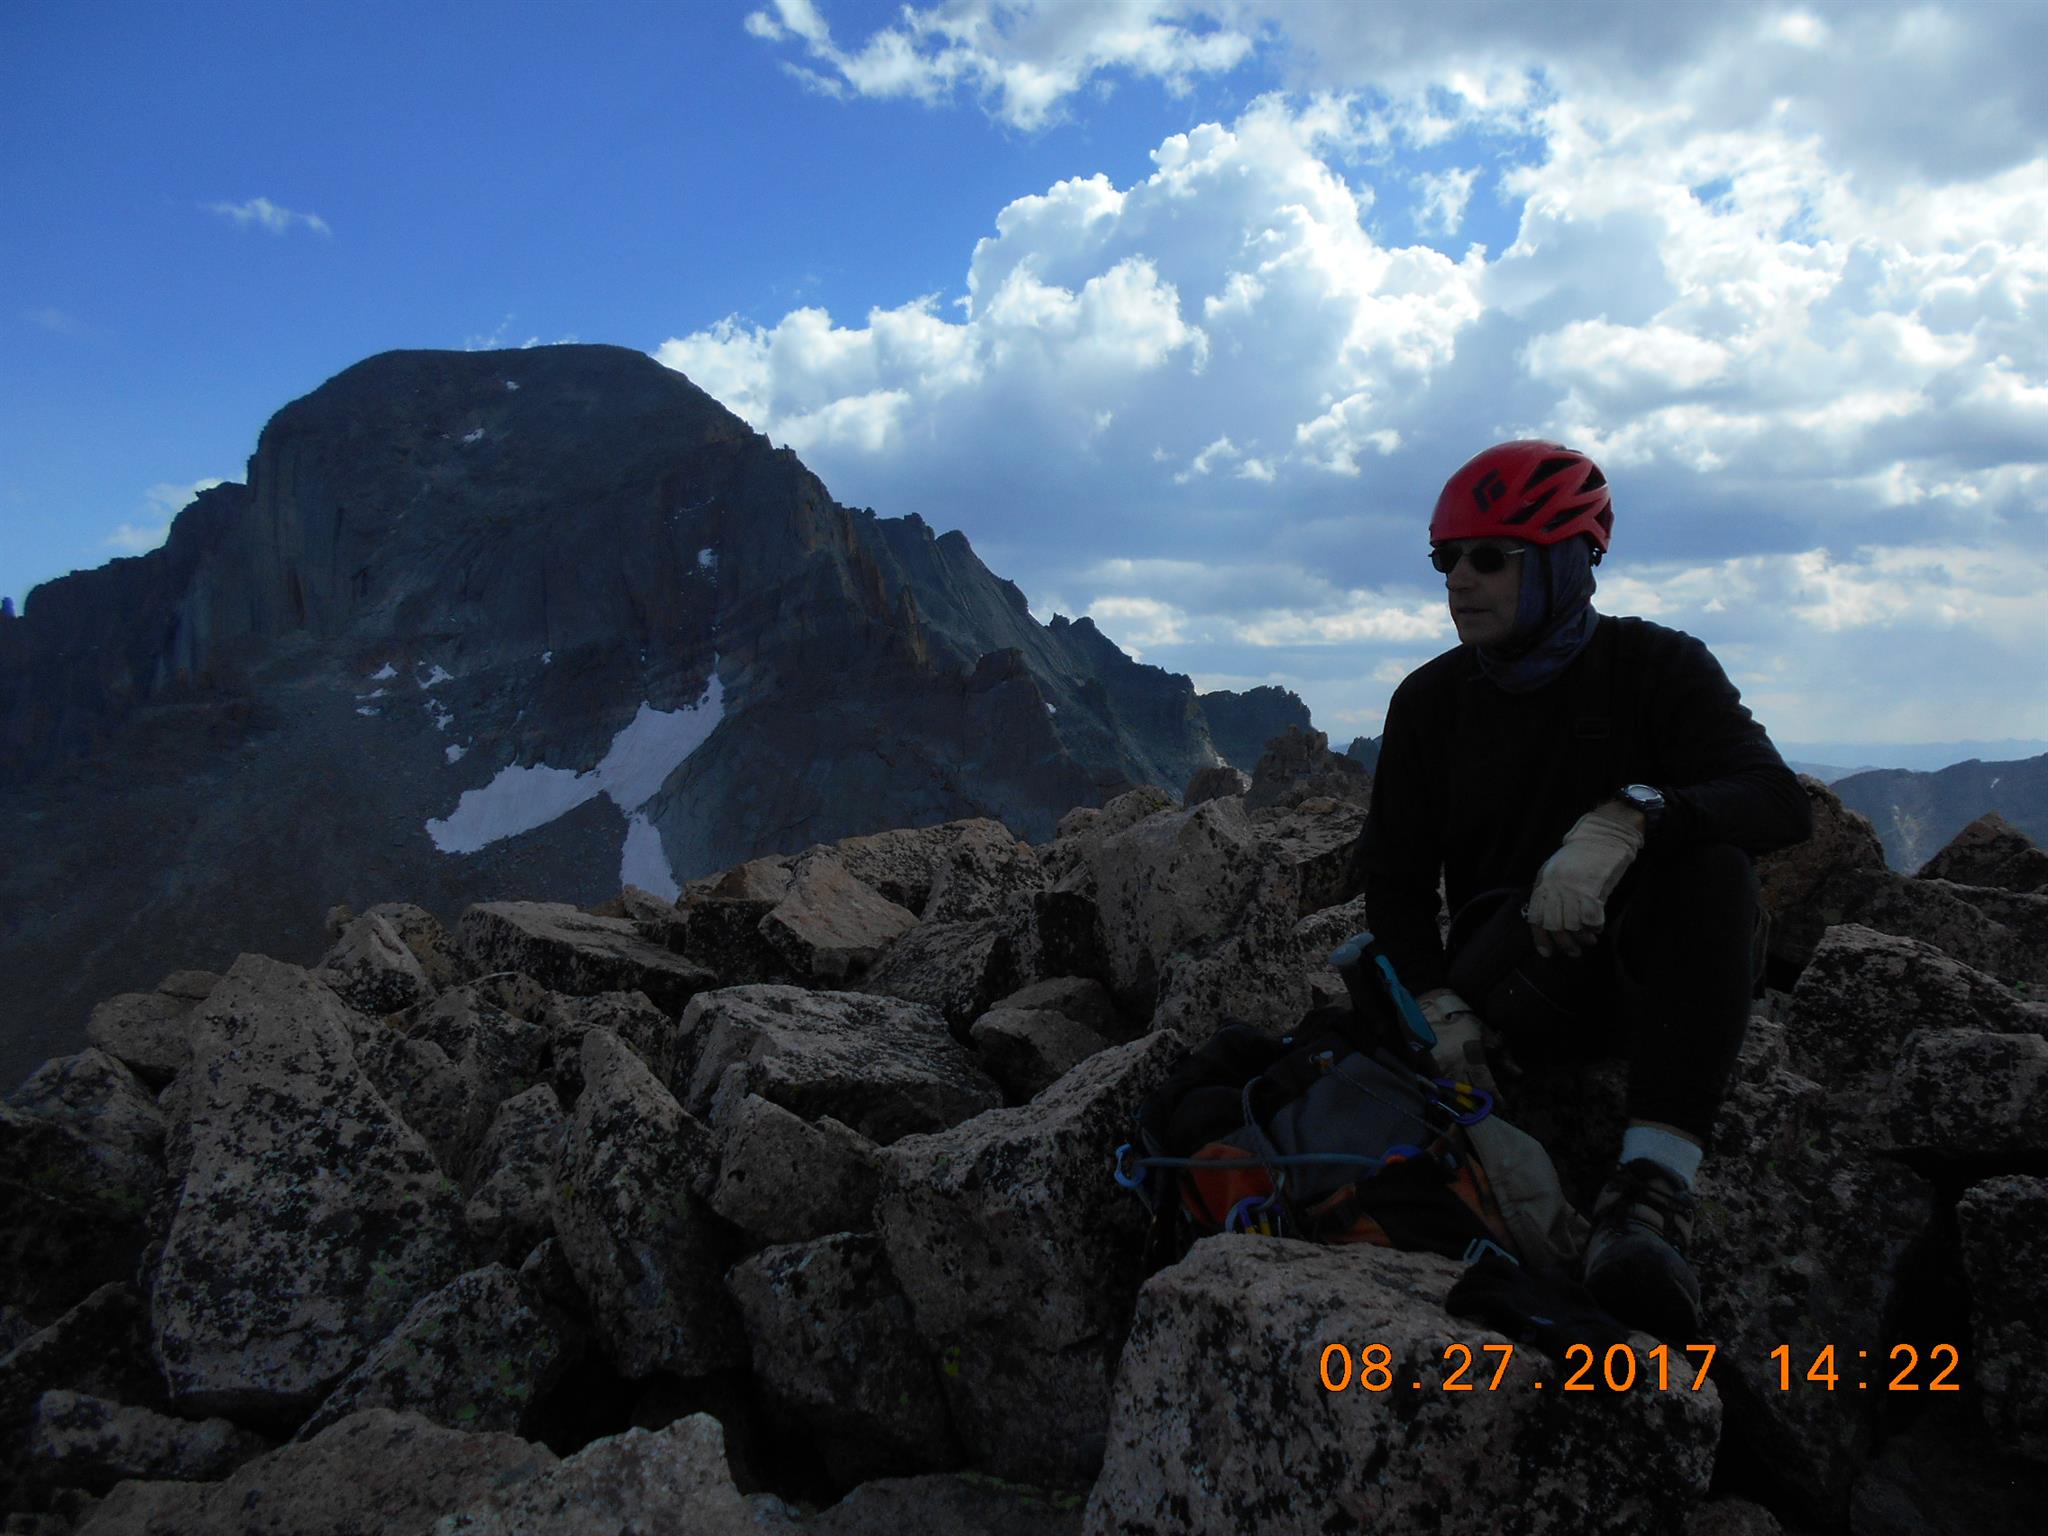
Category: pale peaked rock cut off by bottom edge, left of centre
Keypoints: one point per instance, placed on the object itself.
(636, 1484)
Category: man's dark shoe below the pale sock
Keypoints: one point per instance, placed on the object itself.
(1635, 1256)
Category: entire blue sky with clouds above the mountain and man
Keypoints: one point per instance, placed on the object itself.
(1181, 312)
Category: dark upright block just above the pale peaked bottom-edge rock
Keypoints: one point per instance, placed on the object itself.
(839, 1359)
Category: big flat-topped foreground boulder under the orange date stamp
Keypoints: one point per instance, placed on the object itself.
(1226, 1426)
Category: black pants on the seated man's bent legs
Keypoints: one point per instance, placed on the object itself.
(1668, 986)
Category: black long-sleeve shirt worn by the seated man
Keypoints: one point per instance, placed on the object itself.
(1480, 785)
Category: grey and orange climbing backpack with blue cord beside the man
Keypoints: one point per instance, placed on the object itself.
(1340, 1134)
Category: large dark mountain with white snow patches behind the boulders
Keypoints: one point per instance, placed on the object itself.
(519, 624)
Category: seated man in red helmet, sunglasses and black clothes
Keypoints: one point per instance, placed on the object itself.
(1574, 777)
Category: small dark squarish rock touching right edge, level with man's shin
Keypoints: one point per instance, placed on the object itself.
(1967, 1095)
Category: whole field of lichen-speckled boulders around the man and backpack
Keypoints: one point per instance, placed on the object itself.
(785, 1205)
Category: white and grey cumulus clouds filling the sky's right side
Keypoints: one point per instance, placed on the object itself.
(1779, 267)
